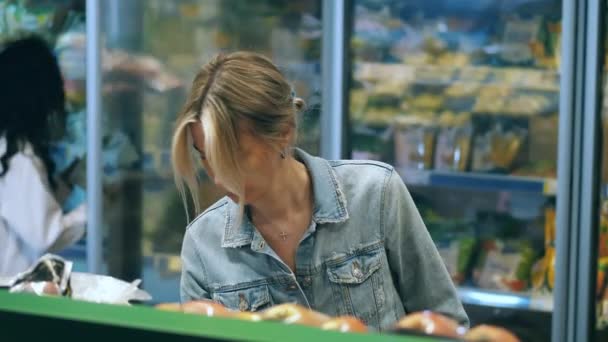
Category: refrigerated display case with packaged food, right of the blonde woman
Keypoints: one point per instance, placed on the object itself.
(478, 105)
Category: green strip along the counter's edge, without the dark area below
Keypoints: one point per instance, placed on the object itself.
(147, 318)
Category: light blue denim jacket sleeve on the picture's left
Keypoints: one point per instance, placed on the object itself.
(193, 270)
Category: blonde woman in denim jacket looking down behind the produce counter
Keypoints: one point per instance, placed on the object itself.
(341, 237)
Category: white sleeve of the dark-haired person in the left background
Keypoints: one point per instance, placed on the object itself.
(31, 211)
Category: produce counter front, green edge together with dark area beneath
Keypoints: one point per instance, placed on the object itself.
(26, 316)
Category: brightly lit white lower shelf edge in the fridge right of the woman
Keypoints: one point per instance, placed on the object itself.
(511, 300)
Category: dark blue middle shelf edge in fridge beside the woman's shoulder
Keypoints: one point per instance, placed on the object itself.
(481, 182)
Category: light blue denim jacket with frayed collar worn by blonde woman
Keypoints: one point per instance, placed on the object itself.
(366, 253)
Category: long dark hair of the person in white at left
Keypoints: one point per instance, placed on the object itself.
(32, 99)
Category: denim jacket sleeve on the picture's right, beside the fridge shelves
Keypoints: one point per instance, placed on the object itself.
(418, 271)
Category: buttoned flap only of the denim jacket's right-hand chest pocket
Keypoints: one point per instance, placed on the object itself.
(355, 269)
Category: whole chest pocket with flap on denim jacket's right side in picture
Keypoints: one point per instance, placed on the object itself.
(357, 286)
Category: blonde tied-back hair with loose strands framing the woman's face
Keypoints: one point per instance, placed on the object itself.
(241, 90)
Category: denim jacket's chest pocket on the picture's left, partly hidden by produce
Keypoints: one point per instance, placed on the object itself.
(246, 299)
